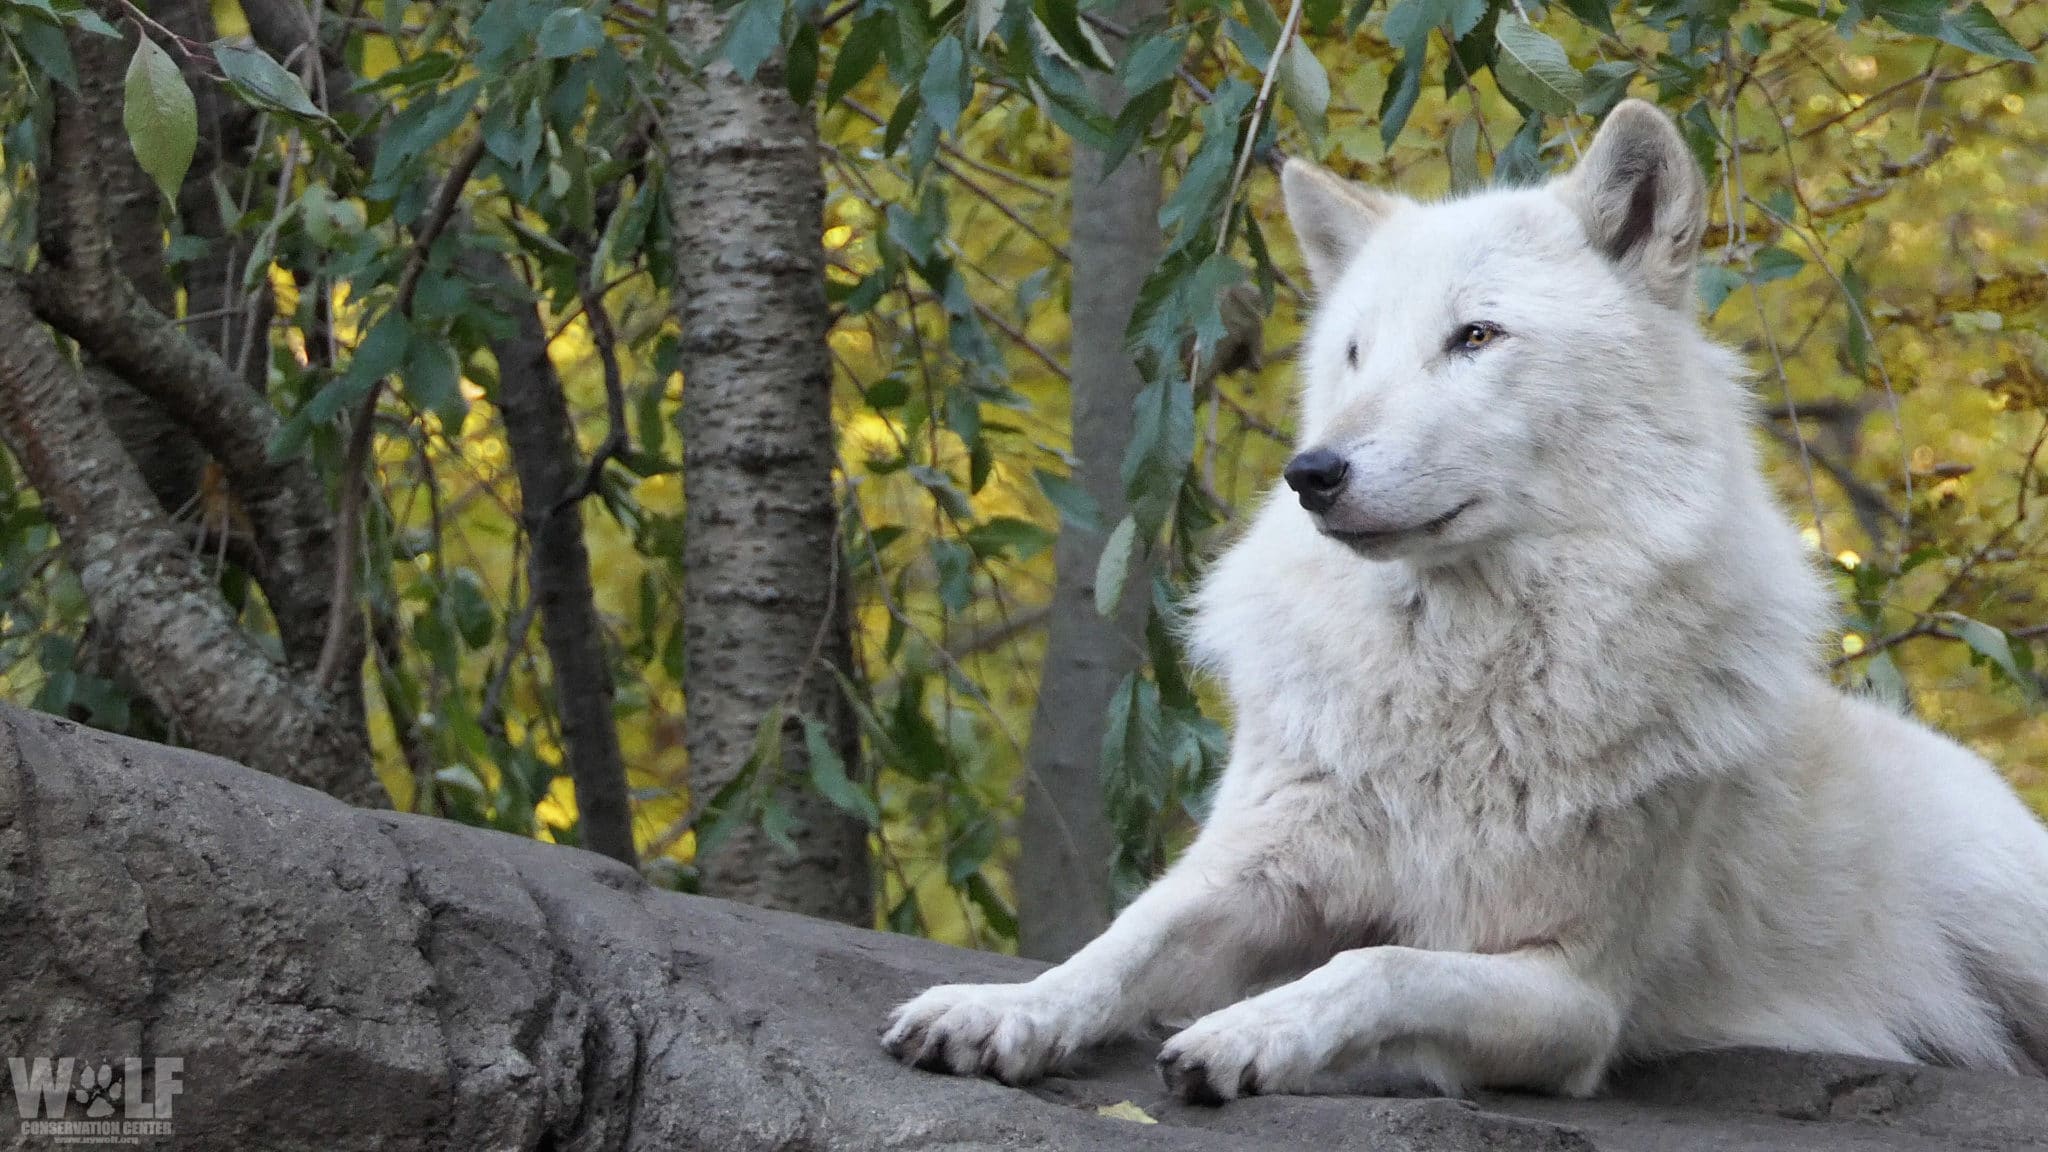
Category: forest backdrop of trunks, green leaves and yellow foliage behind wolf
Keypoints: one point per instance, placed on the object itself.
(771, 442)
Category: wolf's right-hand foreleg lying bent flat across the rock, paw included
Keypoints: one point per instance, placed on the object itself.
(1457, 1020)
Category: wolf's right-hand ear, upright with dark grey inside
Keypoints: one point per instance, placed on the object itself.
(1644, 200)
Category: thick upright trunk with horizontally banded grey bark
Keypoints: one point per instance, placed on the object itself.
(763, 608)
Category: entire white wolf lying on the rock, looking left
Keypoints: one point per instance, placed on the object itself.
(1535, 762)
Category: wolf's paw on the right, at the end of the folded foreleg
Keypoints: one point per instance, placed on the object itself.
(1242, 1053)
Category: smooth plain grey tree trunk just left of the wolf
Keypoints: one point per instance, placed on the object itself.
(1064, 876)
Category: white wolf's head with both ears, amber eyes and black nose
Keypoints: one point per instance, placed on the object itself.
(1471, 364)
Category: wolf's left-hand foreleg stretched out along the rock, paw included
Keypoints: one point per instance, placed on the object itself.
(1222, 919)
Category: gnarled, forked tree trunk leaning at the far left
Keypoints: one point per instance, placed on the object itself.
(116, 454)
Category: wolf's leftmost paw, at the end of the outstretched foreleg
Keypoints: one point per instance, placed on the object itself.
(1013, 1032)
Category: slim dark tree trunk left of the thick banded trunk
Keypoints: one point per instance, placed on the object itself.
(544, 456)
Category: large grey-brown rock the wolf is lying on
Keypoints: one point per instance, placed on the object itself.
(341, 979)
